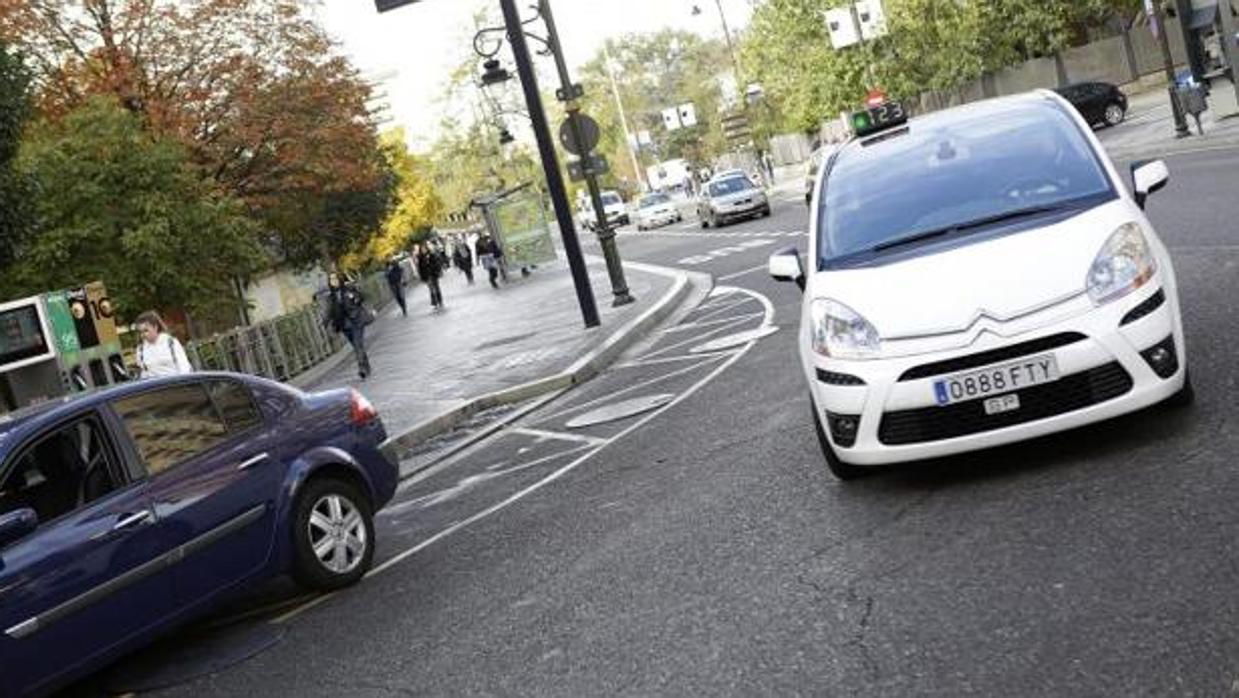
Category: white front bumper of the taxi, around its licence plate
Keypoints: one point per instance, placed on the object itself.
(1102, 375)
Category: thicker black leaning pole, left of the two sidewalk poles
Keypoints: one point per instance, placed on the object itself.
(551, 164)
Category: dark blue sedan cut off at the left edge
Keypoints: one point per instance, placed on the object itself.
(128, 511)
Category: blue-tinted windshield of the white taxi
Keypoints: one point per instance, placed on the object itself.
(956, 172)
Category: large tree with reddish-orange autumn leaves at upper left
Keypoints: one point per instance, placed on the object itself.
(255, 90)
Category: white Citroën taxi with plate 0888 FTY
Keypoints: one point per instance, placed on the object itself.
(978, 277)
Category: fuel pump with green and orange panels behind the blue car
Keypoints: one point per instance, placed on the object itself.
(56, 344)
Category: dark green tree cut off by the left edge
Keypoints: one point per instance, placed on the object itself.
(15, 189)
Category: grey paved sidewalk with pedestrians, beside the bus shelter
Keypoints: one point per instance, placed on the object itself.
(433, 366)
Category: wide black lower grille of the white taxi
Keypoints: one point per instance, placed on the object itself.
(1039, 402)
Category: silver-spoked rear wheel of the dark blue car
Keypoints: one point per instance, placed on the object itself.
(333, 535)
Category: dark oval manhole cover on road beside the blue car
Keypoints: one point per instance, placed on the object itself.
(190, 655)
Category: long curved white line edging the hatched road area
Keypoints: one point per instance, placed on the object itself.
(552, 478)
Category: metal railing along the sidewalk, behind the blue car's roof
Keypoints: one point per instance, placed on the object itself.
(283, 348)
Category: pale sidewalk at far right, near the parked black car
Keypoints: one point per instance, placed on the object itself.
(1149, 130)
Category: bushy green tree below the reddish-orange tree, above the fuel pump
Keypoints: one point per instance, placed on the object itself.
(120, 205)
